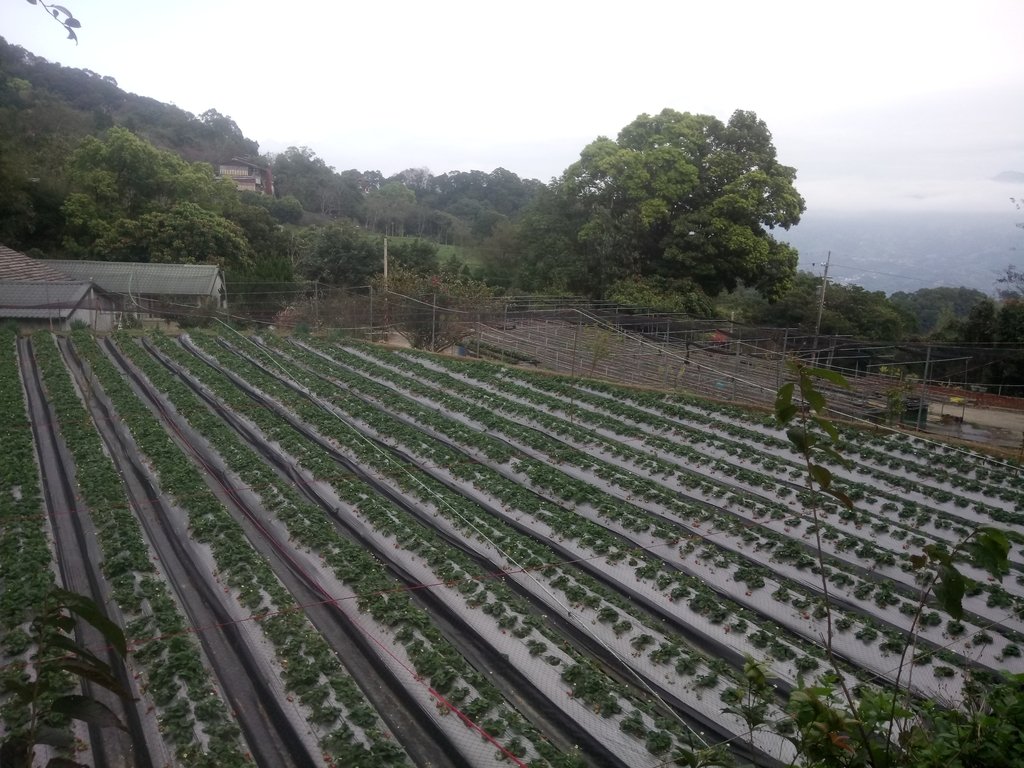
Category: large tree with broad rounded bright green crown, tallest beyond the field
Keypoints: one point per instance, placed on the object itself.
(680, 196)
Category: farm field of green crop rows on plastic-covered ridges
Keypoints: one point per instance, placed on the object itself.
(337, 554)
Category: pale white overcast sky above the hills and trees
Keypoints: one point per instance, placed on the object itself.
(899, 105)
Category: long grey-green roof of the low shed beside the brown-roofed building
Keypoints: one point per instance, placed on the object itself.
(138, 278)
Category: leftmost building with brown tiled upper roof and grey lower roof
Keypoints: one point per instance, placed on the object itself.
(35, 294)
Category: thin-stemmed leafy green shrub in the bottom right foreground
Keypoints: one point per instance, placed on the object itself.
(889, 729)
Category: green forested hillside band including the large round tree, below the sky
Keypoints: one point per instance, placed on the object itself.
(680, 212)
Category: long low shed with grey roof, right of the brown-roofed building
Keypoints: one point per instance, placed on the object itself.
(161, 291)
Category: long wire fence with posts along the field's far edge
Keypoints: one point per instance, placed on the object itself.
(718, 359)
